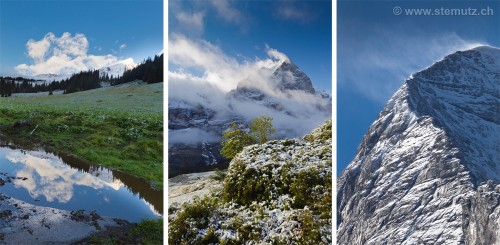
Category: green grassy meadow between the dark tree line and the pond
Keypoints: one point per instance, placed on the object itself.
(119, 127)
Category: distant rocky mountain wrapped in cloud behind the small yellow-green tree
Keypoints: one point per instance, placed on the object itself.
(205, 123)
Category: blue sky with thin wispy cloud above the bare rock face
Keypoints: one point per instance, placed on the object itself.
(378, 50)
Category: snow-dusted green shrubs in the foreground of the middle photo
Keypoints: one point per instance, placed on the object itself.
(275, 193)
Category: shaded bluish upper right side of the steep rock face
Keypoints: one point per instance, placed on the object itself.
(461, 93)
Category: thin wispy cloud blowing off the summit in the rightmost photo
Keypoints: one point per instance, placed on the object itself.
(377, 68)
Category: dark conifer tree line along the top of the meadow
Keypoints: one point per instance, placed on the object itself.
(150, 71)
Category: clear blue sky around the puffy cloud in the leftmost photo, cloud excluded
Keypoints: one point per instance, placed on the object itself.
(135, 26)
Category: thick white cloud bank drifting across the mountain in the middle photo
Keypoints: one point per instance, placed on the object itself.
(204, 75)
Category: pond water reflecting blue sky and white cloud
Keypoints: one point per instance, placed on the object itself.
(70, 184)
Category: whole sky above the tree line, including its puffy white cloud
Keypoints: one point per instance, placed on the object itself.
(113, 30)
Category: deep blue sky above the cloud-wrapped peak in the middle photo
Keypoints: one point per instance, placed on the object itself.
(244, 31)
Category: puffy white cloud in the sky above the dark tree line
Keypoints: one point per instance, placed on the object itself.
(62, 55)
